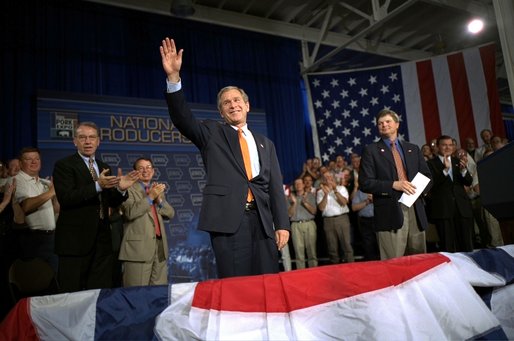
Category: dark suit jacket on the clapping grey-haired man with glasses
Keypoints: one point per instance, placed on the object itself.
(77, 225)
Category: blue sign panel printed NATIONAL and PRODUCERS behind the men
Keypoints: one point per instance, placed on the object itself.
(130, 129)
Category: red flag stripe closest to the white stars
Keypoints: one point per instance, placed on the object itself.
(428, 96)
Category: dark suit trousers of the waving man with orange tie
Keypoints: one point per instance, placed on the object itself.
(246, 252)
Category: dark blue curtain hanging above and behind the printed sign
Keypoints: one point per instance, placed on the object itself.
(81, 47)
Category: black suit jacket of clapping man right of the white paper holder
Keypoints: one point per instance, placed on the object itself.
(445, 192)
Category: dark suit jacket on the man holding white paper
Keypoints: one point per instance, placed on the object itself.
(376, 176)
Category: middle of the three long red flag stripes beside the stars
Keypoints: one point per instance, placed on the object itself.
(461, 96)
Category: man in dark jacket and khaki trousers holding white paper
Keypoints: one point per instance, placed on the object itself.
(388, 167)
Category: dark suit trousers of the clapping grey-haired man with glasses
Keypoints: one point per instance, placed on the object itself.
(91, 271)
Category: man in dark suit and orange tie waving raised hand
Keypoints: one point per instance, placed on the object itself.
(243, 206)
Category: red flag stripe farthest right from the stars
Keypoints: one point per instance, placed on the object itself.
(488, 56)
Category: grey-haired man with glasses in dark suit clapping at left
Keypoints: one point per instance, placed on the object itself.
(85, 191)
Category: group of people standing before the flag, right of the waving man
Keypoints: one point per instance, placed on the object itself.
(450, 216)
